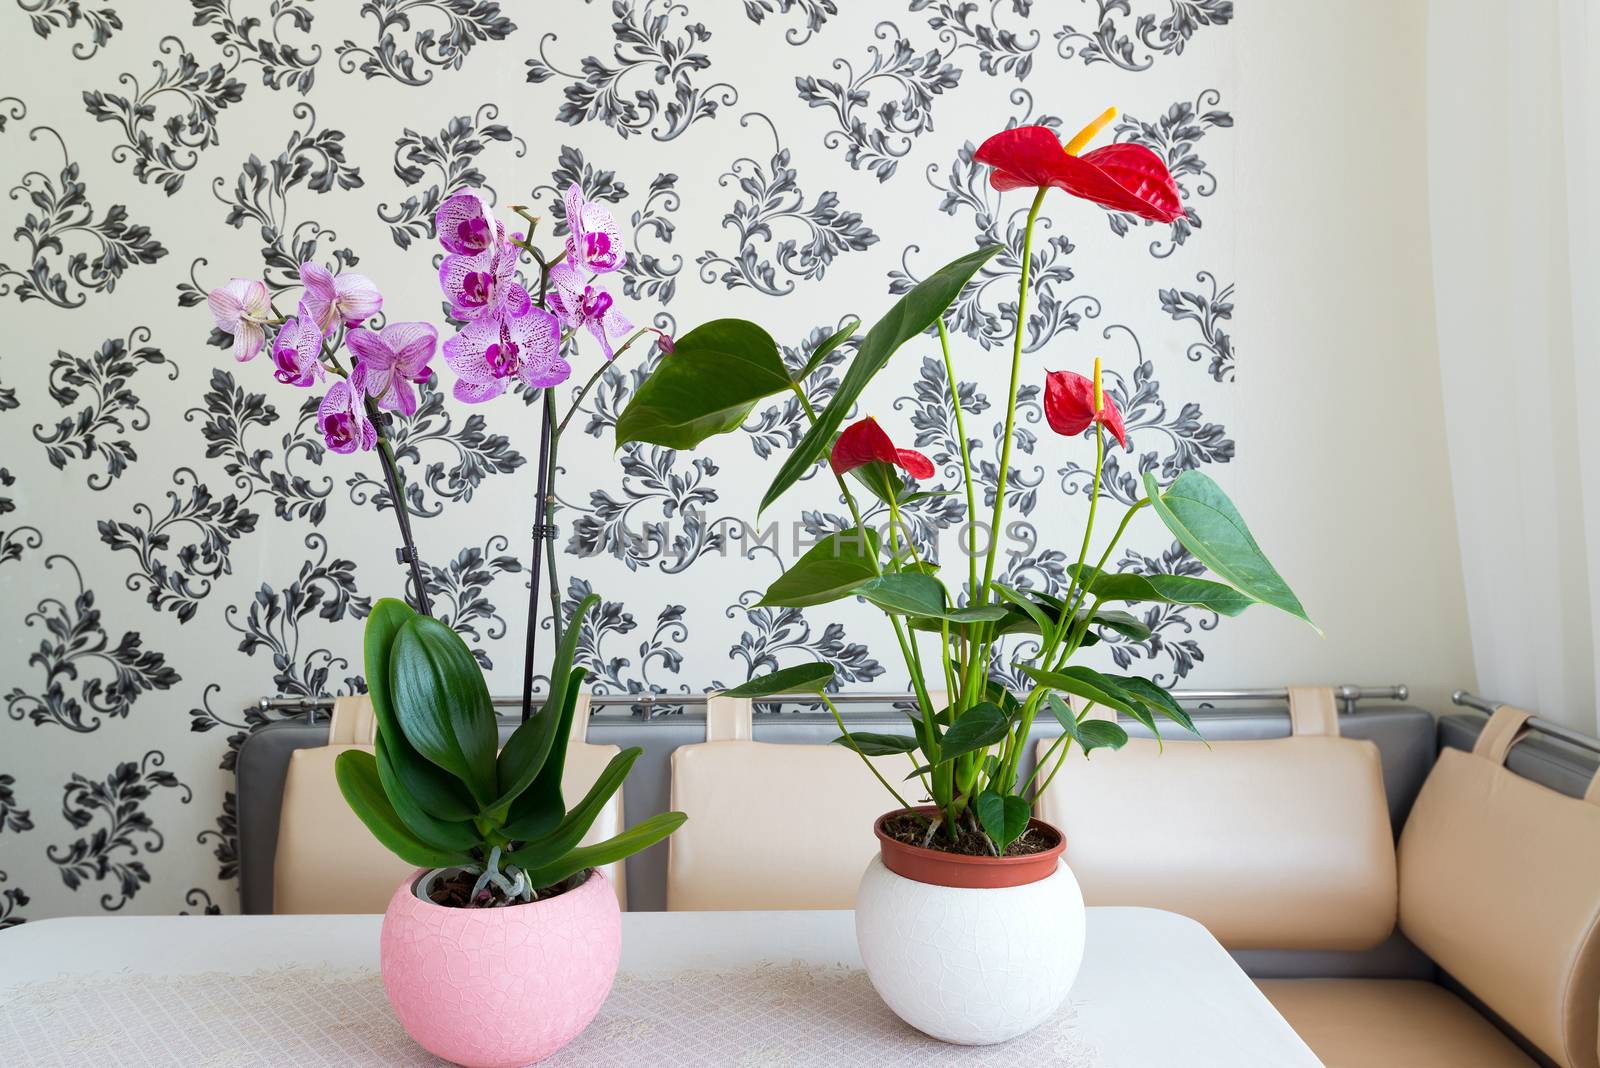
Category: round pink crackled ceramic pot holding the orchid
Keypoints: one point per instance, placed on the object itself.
(500, 987)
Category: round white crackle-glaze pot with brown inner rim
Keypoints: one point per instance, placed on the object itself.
(970, 950)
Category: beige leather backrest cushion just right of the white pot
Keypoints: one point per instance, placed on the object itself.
(1271, 845)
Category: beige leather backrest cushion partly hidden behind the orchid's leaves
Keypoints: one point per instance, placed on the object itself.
(329, 863)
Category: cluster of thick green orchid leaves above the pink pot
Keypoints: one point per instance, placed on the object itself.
(439, 795)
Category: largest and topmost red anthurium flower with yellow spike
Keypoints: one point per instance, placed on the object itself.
(1118, 177)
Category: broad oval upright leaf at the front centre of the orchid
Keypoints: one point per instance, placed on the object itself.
(444, 706)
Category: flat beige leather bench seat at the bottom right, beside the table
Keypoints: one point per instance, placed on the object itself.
(1391, 1024)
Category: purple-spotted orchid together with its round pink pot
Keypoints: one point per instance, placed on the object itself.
(508, 911)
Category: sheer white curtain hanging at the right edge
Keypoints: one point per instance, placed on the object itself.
(1513, 132)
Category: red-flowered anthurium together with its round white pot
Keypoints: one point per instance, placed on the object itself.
(961, 842)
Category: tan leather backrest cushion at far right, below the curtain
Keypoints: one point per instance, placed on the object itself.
(1500, 883)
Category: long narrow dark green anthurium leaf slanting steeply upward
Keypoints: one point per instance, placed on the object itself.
(911, 316)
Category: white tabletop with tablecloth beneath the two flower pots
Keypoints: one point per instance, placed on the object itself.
(695, 989)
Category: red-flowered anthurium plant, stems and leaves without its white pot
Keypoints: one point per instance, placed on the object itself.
(969, 727)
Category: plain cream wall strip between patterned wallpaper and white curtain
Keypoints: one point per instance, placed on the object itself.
(1345, 480)
